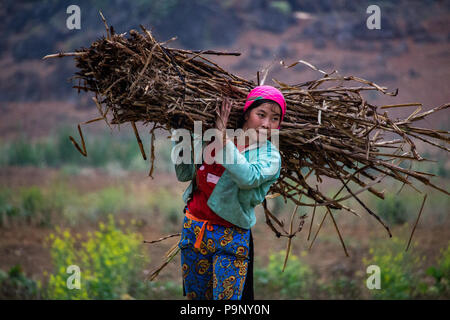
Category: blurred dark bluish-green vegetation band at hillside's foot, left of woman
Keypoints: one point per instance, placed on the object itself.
(116, 151)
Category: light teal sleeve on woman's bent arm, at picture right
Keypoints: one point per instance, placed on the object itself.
(248, 175)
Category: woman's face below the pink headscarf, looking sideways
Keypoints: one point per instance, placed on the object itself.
(266, 116)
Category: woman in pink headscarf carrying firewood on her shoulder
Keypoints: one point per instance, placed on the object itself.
(216, 243)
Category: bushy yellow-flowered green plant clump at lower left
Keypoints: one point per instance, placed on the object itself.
(110, 260)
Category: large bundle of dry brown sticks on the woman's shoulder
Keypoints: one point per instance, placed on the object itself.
(329, 128)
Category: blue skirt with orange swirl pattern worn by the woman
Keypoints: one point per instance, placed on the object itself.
(218, 268)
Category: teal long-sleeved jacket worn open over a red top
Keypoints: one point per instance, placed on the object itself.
(244, 183)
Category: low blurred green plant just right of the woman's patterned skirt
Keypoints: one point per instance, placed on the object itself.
(295, 282)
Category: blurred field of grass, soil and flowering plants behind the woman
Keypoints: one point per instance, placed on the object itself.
(95, 213)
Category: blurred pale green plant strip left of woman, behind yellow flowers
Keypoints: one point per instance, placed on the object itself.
(62, 203)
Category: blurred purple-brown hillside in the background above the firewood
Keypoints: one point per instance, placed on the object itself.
(410, 52)
